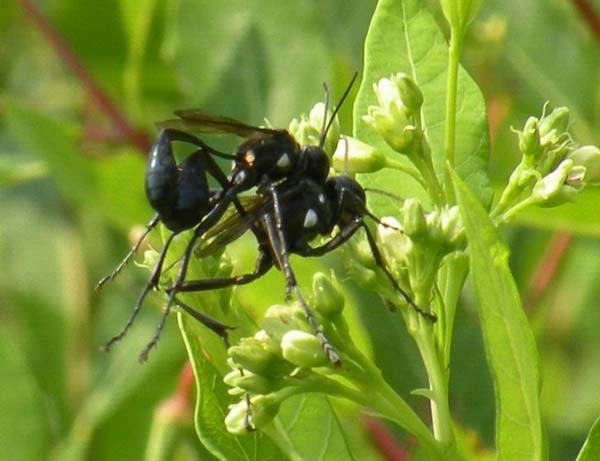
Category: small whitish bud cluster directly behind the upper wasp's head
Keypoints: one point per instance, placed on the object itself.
(307, 130)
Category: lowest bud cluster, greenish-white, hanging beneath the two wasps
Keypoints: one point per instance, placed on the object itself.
(284, 358)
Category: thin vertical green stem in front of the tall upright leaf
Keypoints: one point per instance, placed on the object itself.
(456, 42)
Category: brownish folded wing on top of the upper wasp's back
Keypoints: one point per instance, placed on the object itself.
(194, 120)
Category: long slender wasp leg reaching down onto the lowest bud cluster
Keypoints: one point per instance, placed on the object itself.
(279, 246)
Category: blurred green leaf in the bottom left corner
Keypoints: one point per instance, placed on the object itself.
(23, 425)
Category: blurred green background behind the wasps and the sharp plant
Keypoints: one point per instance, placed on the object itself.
(71, 191)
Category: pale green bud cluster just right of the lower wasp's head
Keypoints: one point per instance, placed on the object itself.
(412, 249)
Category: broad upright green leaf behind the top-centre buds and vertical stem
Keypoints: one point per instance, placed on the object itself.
(404, 37)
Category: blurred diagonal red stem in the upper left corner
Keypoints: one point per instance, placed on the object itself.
(96, 94)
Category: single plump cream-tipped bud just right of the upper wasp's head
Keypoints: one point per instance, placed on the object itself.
(361, 157)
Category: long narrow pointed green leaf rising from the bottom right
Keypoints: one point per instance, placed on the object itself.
(509, 342)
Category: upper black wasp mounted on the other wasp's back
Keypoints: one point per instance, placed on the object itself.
(180, 195)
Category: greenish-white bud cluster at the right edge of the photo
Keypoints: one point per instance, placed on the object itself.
(553, 168)
